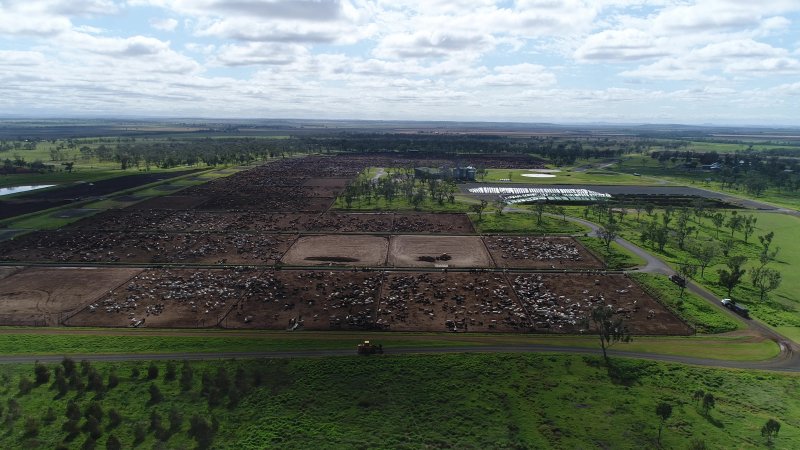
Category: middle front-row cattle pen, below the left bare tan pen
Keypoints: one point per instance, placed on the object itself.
(314, 300)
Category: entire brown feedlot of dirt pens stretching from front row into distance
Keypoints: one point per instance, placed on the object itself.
(226, 253)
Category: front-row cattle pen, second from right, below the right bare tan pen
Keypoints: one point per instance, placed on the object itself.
(418, 301)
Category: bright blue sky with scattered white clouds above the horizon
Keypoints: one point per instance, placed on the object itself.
(560, 61)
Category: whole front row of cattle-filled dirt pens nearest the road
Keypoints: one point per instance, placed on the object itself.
(377, 300)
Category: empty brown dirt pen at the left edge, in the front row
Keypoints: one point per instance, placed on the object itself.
(43, 296)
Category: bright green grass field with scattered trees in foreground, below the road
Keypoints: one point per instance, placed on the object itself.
(434, 401)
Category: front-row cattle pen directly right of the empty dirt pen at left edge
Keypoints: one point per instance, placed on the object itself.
(172, 298)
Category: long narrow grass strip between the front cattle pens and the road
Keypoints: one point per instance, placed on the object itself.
(26, 341)
